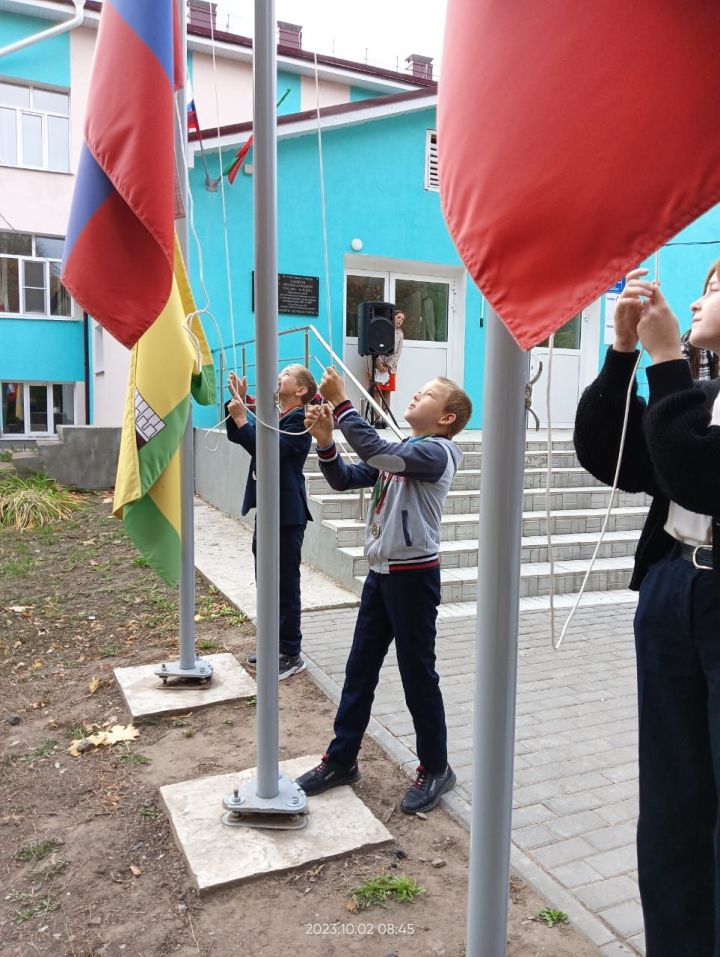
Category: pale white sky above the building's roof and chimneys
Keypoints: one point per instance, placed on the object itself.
(383, 32)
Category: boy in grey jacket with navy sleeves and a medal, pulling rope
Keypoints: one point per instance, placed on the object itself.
(410, 482)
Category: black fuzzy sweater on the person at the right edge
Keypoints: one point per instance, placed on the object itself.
(671, 451)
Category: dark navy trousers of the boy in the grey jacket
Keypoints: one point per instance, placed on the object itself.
(403, 606)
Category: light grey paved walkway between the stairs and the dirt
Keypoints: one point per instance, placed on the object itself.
(575, 786)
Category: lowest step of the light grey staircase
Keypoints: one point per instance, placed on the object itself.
(460, 584)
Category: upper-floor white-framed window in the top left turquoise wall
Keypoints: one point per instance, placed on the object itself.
(34, 128)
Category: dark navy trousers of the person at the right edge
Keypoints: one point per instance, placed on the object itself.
(677, 637)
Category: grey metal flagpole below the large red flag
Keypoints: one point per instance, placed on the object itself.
(503, 453)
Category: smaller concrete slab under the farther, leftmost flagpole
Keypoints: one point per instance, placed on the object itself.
(145, 695)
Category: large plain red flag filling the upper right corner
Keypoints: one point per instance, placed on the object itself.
(574, 138)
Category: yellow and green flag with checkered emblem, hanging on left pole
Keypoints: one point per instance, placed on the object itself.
(169, 362)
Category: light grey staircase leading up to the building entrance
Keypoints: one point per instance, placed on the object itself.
(334, 542)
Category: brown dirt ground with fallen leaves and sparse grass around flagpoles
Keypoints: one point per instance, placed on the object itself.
(87, 860)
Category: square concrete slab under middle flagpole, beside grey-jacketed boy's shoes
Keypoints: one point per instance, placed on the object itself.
(217, 855)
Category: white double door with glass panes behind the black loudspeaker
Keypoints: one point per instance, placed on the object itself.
(429, 329)
